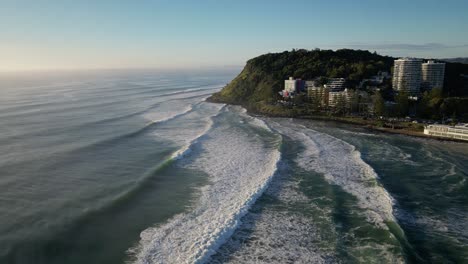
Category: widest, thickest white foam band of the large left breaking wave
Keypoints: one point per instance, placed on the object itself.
(240, 167)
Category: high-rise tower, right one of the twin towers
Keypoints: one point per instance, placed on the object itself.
(432, 75)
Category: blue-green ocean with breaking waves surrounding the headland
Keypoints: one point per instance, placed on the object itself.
(136, 167)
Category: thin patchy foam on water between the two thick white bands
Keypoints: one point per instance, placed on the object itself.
(296, 229)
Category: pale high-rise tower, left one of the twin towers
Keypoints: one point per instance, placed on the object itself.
(407, 75)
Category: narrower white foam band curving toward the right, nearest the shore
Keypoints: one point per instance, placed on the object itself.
(342, 165)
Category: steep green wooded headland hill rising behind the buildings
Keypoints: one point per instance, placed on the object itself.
(263, 77)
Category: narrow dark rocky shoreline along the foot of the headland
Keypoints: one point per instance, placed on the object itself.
(367, 124)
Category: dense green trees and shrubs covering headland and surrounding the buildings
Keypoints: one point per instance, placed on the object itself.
(257, 86)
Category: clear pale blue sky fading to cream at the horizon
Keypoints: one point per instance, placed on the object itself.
(95, 34)
